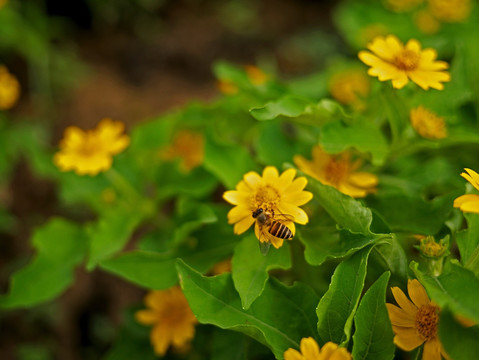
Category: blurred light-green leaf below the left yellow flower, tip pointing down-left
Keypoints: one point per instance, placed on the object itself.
(110, 233)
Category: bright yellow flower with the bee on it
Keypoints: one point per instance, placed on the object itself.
(277, 195)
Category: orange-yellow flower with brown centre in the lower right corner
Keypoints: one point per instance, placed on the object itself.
(415, 323)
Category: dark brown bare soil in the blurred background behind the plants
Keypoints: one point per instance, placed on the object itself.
(130, 78)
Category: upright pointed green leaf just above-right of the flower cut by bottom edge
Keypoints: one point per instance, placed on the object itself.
(338, 305)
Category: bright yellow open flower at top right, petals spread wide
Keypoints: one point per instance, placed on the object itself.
(391, 60)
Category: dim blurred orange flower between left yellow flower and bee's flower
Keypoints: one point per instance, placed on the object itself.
(190, 147)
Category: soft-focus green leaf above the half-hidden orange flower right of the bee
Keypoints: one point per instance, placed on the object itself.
(361, 134)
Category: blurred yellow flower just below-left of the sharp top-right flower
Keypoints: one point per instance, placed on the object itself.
(349, 87)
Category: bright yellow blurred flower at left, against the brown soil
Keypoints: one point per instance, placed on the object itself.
(90, 152)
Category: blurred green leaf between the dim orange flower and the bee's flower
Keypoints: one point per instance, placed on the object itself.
(227, 163)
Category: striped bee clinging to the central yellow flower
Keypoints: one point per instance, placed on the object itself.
(270, 226)
